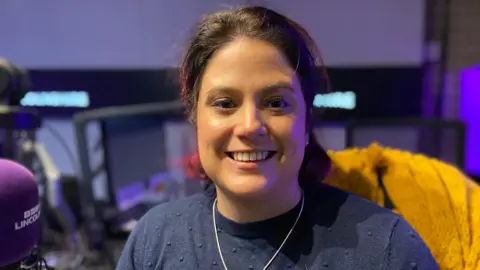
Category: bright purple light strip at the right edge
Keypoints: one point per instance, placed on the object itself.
(470, 114)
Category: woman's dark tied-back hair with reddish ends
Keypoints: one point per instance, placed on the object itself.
(220, 28)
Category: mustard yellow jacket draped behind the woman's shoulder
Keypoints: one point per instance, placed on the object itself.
(437, 199)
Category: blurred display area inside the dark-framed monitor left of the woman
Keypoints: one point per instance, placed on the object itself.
(142, 155)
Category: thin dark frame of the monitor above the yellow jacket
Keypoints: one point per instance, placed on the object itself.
(437, 124)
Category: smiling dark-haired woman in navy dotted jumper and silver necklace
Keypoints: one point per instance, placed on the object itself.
(248, 81)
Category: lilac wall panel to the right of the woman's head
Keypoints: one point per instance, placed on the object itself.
(362, 33)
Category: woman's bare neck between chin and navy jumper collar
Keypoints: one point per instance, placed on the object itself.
(245, 210)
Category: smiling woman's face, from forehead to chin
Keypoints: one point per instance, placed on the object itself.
(251, 120)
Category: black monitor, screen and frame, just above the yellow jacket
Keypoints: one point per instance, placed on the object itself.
(441, 139)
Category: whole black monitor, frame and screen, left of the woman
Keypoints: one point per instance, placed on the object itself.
(138, 177)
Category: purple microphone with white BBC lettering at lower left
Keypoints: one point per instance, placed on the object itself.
(19, 213)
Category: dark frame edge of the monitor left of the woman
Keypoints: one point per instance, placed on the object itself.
(92, 210)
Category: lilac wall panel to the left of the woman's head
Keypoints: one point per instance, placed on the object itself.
(105, 34)
